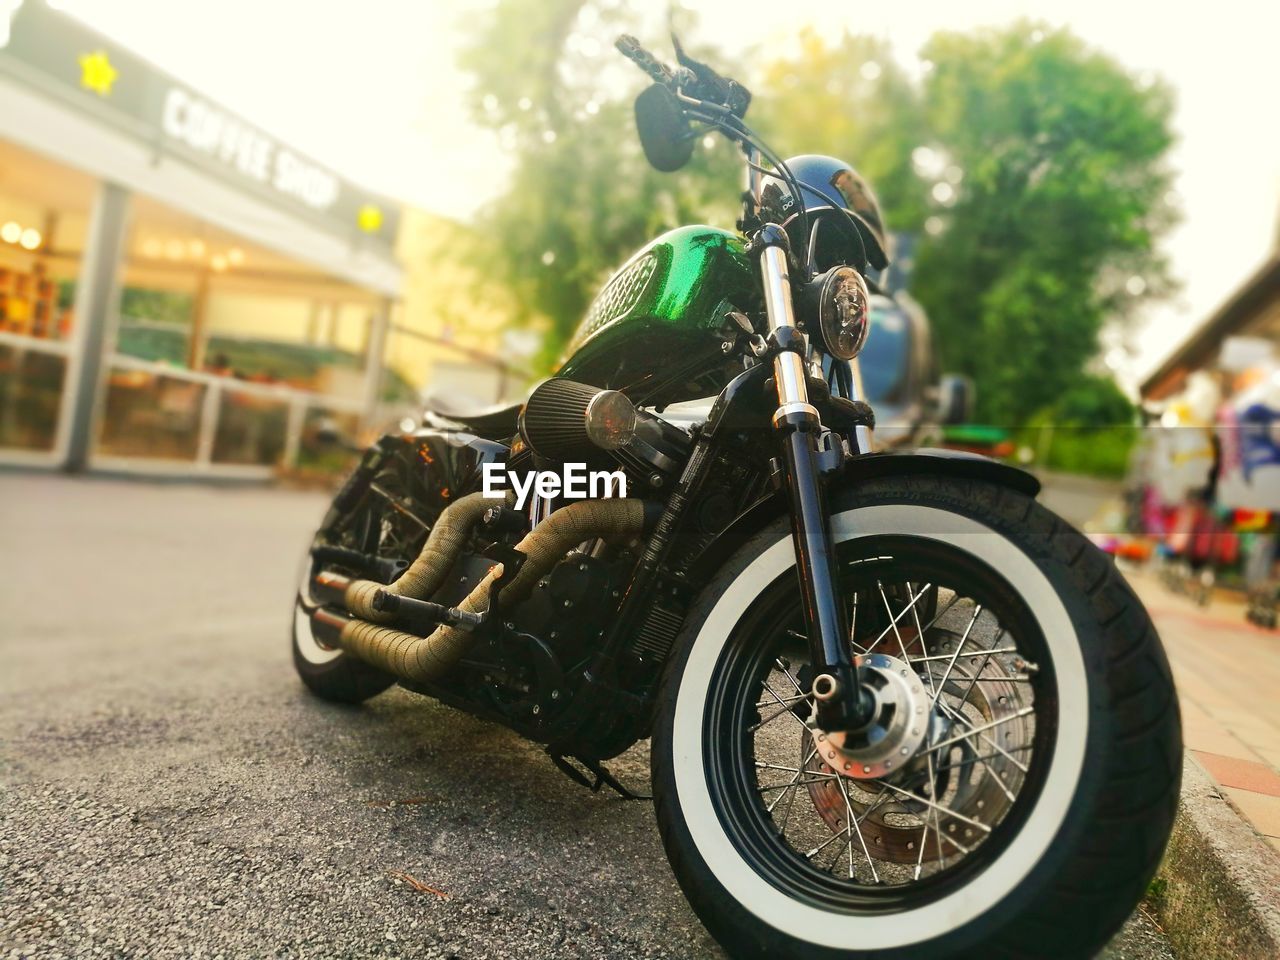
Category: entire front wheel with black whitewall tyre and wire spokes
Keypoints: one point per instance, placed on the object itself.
(1013, 799)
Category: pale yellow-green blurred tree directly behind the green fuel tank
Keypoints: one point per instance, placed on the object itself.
(582, 198)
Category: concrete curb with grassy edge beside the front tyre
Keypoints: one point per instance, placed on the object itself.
(1218, 893)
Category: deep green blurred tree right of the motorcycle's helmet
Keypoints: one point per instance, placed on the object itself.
(1054, 204)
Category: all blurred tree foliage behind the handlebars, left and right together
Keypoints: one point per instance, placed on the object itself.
(1031, 166)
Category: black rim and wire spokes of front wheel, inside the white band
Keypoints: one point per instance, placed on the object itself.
(921, 831)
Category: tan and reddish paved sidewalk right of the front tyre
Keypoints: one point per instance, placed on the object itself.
(1228, 675)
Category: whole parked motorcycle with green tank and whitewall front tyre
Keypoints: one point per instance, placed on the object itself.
(898, 708)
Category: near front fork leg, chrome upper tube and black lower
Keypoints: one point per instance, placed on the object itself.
(843, 701)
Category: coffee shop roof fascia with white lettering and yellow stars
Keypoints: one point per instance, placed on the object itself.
(147, 134)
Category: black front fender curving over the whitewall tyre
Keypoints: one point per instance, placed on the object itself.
(870, 467)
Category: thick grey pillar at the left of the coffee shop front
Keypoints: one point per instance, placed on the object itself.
(98, 305)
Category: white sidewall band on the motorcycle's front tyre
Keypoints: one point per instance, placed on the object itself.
(949, 911)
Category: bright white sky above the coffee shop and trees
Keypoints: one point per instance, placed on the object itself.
(372, 90)
